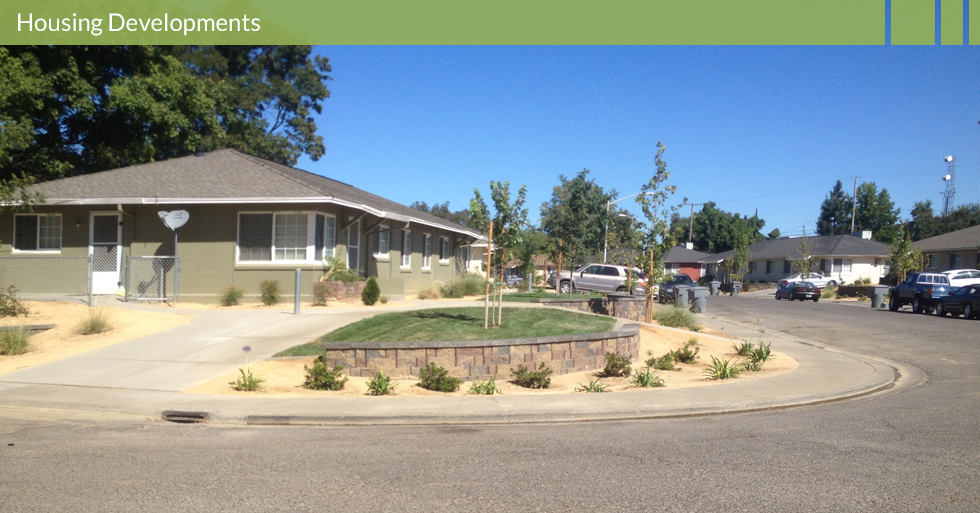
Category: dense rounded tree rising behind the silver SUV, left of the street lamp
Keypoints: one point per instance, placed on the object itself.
(577, 215)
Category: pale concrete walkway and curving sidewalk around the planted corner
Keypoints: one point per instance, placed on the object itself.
(144, 377)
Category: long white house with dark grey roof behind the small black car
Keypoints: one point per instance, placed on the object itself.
(846, 257)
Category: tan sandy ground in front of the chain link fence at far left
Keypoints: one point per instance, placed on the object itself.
(62, 341)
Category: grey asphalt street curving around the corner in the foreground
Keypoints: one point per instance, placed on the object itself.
(917, 449)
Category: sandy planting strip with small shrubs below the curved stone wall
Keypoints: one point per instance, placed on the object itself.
(284, 377)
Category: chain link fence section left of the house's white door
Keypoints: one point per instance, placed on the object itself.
(48, 278)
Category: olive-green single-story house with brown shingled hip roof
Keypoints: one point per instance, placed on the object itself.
(250, 220)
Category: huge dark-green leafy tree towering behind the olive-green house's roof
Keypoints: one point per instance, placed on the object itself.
(69, 110)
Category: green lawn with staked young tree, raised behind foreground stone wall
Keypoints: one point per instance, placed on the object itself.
(443, 324)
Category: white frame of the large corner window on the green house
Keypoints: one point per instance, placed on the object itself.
(314, 254)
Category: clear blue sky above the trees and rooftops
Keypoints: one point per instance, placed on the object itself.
(746, 127)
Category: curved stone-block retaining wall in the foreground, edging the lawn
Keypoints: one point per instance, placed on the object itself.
(483, 359)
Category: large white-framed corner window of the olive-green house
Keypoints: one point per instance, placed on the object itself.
(285, 237)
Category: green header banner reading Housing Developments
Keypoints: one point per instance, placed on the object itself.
(385, 22)
